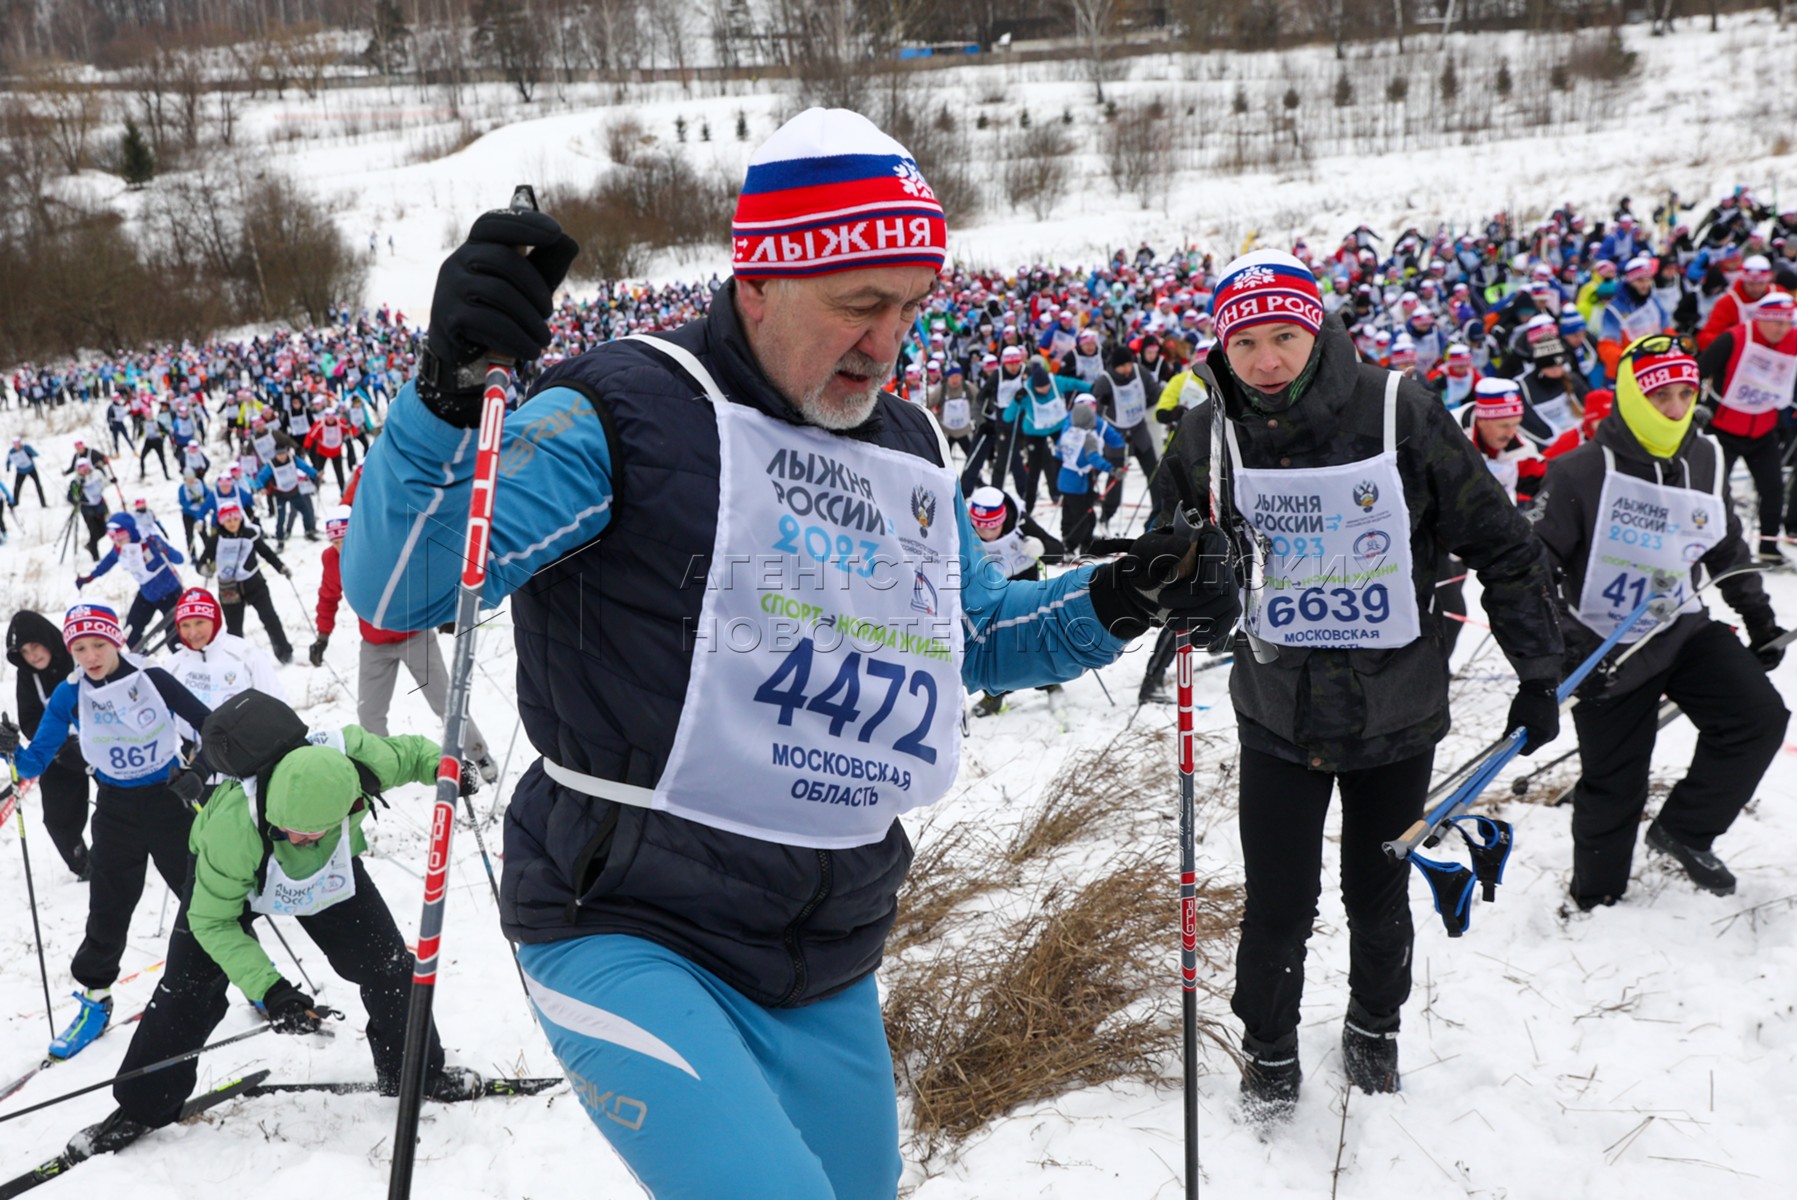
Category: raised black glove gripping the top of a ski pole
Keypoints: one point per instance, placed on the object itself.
(491, 301)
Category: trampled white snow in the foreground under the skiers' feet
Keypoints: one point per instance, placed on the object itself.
(1642, 1052)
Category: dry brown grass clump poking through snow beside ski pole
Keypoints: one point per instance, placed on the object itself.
(1014, 976)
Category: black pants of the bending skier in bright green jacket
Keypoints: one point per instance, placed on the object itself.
(364, 948)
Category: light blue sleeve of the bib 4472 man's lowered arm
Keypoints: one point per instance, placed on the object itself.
(1025, 633)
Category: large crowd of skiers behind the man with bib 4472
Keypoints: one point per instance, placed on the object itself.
(1465, 401)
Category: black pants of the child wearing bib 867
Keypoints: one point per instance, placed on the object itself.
(132, 827)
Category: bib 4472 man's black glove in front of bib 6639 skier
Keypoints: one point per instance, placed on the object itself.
(1146, 588)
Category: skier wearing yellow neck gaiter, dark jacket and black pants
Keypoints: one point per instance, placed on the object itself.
(1647, 499)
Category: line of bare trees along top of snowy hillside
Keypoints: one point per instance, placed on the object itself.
(536, 40)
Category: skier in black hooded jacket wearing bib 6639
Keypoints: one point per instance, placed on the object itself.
(1340, 676)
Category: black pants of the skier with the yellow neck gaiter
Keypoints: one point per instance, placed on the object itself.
(1740, 723)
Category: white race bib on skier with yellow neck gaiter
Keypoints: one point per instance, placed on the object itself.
(1647, 529)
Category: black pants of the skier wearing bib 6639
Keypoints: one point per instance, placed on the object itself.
(1284, 806)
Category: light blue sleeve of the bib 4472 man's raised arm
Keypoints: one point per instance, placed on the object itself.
(403, 554)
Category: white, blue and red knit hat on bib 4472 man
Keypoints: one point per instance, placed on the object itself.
(831, 193)
